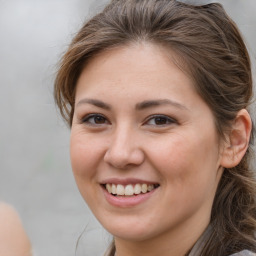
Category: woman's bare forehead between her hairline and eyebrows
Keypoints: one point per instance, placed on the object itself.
(142, 64)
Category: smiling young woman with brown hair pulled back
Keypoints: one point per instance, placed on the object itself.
(156, 93)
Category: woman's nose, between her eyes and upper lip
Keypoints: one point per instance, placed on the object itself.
(124, 151)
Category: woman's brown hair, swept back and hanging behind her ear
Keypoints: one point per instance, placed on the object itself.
(211, 50)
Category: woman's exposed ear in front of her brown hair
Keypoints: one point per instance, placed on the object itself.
(237, 140)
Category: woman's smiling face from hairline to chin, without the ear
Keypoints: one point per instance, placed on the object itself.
(140, 129)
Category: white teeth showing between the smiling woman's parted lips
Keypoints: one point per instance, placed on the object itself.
(129, 190)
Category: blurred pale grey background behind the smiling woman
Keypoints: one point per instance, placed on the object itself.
(35, 173)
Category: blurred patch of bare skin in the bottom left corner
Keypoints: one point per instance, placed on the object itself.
(13, 238)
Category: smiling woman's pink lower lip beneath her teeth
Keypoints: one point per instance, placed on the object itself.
(127, 201)
